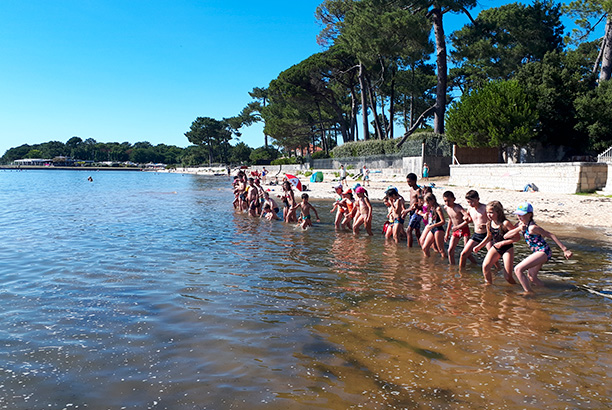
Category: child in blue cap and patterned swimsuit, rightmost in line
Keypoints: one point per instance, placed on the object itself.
(534, 237)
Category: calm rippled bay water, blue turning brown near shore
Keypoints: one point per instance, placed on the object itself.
(144, 290)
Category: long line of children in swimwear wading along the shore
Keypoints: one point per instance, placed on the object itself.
(492, 230)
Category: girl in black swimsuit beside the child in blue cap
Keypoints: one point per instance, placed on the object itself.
(501, 247)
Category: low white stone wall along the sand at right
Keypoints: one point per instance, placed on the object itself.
(560, 177)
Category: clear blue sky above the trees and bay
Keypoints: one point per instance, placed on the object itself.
(143, 70)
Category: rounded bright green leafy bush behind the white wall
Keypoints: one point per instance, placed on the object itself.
(500, 114)
